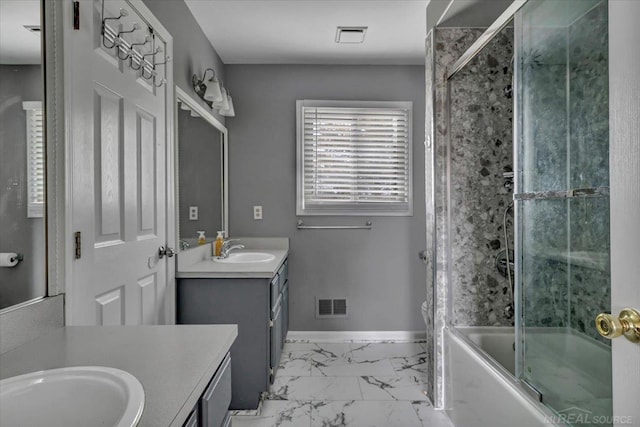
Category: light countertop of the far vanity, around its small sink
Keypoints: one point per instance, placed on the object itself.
(197, 263)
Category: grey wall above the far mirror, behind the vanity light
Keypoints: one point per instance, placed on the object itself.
(192, 51)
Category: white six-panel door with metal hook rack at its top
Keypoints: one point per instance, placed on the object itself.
(117, 153)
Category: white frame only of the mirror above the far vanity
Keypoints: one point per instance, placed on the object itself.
(184, 97)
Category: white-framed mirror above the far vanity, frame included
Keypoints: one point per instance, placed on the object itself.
(201, 172)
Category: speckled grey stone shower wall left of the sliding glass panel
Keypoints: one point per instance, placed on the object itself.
(480, 151)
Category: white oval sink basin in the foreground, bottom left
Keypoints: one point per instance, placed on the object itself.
(75, 396)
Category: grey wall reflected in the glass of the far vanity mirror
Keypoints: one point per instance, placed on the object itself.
(199, 176)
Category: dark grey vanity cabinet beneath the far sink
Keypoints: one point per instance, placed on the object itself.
(260, 308)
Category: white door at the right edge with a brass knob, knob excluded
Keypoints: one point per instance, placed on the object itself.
(624, 101)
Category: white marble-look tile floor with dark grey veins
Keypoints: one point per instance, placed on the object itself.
(348, 384)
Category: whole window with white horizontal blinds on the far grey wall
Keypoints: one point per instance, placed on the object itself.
(354, 158)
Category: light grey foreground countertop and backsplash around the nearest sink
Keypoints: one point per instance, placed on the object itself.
(174, 363)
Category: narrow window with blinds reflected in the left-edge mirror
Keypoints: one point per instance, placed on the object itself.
(35, 159)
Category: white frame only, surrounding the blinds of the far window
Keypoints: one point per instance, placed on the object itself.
(351, 208)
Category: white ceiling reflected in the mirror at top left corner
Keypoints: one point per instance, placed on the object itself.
(17, 44)
